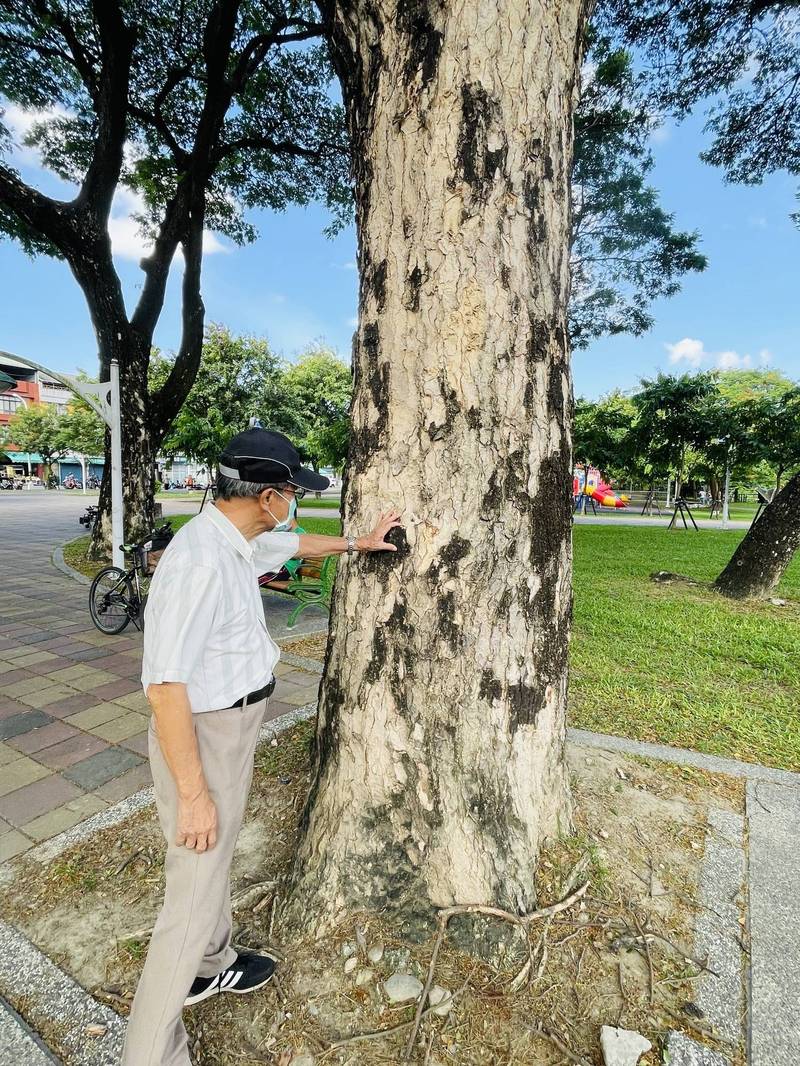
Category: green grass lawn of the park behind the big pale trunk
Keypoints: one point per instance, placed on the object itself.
(674, 664)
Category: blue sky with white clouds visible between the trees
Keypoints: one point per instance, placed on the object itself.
(296, 287)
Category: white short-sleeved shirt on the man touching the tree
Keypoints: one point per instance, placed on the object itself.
(204, 620)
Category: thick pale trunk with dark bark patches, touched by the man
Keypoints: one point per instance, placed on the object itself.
(439, 766)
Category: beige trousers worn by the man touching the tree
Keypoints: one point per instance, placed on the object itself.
(193, 935)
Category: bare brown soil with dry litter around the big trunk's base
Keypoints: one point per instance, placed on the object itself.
(639, 838)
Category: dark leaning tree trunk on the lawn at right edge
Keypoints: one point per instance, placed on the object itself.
(760, 561)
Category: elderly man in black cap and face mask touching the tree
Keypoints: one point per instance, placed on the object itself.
(209, 671)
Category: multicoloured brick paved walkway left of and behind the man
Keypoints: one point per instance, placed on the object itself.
(73, 715)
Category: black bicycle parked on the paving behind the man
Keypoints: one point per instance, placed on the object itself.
(119, 597)
